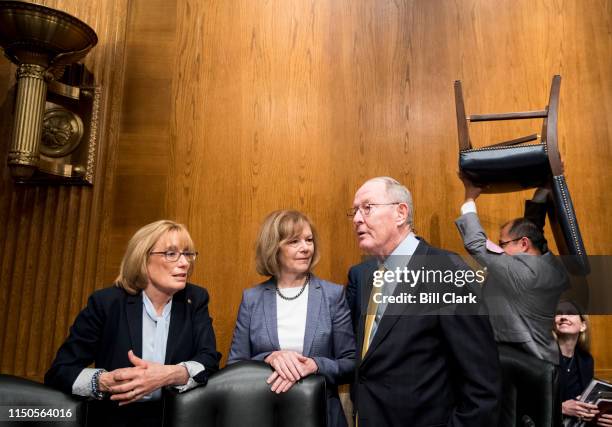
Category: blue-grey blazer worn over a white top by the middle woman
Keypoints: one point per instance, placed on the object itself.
(328, 337)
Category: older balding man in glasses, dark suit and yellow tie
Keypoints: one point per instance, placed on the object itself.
(418, 364)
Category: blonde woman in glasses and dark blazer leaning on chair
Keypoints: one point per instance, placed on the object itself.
(152, 329)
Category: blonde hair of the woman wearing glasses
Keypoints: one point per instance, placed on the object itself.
(133, 274)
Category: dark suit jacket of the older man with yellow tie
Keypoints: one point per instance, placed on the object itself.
(435, 369)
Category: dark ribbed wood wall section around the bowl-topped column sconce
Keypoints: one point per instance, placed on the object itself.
(52, 237)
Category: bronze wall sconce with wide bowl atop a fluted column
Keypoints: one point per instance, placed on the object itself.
(42, 42)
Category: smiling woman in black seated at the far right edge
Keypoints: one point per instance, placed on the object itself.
(576, 366)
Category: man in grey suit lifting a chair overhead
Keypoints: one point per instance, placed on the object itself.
(525, 280)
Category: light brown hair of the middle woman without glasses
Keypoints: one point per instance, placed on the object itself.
(278, 228)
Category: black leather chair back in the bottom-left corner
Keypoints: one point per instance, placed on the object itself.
(21, 393)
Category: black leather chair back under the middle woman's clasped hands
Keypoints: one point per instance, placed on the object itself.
(238, 396)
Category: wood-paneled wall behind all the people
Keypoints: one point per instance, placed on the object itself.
(232, 109)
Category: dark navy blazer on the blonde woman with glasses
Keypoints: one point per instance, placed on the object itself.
(111, 325)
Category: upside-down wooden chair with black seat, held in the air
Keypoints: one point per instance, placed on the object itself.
(514, 165)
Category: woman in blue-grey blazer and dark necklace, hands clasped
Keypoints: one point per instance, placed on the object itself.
(296, 322)
